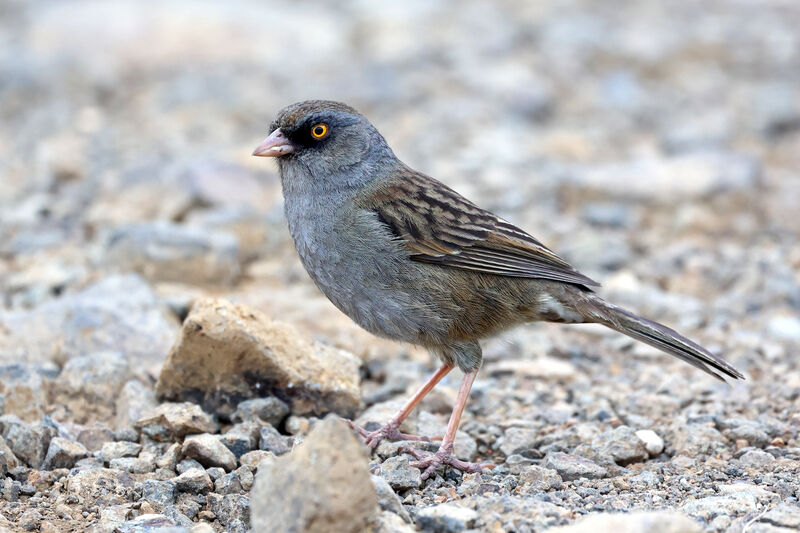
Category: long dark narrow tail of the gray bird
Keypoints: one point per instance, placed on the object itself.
(658, 336)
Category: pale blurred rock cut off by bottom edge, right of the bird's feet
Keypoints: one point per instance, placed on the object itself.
(651, 521)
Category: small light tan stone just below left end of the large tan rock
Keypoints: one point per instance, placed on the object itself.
(174, 420)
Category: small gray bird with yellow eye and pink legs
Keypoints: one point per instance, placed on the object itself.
(409, 259)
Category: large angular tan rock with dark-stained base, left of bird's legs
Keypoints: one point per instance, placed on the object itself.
(227, 353)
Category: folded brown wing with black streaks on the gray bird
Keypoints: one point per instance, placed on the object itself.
(440, 226)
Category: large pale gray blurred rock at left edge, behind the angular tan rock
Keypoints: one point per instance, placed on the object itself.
(119, 313)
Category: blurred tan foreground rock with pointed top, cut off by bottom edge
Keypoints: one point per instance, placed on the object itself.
(323, 486)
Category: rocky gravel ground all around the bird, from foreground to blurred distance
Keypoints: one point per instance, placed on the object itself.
(166, 365)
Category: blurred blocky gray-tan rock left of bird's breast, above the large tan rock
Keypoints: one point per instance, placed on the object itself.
(162, 251)
